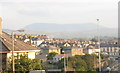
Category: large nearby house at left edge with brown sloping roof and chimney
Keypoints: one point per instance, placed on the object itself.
(20, 48)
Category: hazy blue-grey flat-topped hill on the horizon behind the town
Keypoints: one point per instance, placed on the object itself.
(70, 30)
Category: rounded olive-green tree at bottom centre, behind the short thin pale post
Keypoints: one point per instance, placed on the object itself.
(74, 62)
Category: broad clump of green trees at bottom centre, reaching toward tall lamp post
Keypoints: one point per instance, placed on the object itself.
(79, 63)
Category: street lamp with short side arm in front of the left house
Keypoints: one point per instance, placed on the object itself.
(13, 63)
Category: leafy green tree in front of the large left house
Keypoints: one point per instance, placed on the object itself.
(25, 64)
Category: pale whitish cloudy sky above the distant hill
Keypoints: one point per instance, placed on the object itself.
(17, 14)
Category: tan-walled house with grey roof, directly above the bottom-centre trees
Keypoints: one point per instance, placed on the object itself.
(74, 50)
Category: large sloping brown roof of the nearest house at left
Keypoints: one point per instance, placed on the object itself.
(18, 46)
